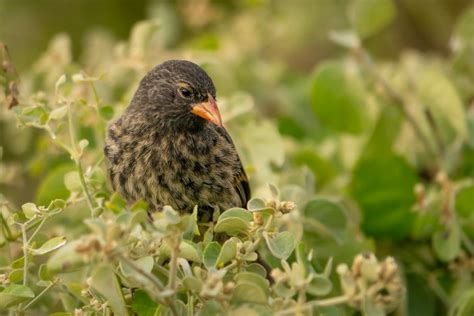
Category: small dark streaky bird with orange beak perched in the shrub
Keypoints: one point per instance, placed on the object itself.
(170, 148)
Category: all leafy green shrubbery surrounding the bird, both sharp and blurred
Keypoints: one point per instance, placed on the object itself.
(367, 156)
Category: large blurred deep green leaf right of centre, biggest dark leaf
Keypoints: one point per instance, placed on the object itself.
(383, 187)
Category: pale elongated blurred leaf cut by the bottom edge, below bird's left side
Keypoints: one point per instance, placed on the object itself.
(105, 282)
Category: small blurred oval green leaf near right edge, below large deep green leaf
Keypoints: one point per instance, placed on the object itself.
(447, 242)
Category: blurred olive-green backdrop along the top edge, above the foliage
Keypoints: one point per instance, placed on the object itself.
(299, 41)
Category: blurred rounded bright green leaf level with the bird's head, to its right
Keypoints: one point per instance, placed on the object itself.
(337, 99)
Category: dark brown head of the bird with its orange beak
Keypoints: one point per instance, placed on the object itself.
(180, 92)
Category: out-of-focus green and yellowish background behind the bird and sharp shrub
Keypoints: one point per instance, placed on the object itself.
(305, 101)
